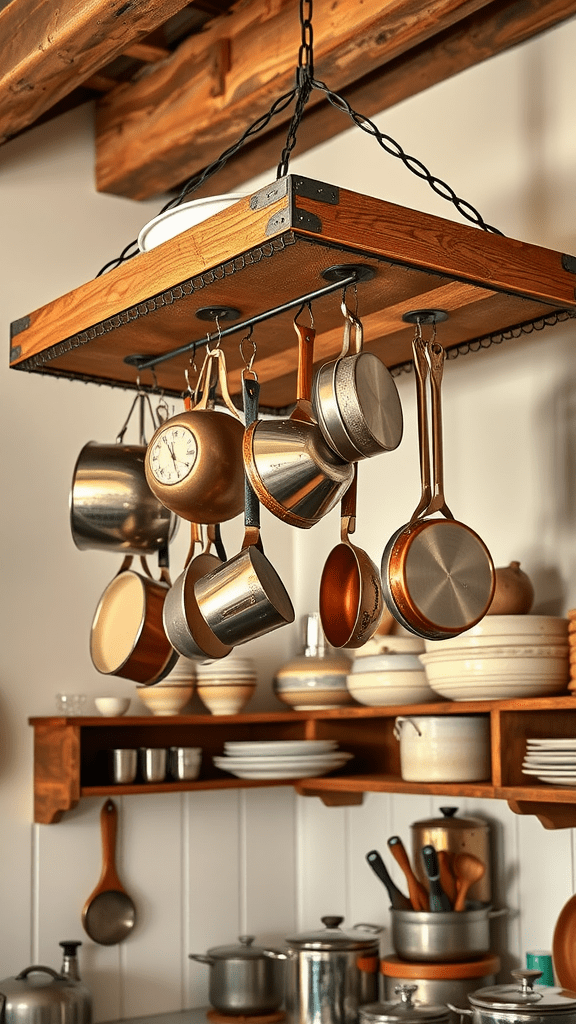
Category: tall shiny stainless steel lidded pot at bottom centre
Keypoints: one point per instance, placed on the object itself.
(332, 973)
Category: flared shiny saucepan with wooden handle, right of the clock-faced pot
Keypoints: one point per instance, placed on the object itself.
(295, 474)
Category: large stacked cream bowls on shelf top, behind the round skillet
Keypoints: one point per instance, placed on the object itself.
(502, 658)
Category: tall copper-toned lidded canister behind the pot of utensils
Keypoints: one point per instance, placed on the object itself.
(456, 836)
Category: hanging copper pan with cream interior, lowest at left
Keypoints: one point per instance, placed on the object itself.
(128, 638)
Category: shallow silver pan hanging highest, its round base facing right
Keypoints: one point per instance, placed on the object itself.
(356, 401)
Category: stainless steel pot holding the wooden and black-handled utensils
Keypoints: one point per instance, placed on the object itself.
(438, 937)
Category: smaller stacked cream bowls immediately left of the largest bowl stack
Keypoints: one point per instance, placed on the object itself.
(390, 674)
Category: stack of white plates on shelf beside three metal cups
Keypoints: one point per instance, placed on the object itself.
(281, 758)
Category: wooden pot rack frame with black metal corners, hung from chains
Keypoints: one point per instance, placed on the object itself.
(271, 250)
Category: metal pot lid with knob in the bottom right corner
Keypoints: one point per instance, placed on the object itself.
(521, 996)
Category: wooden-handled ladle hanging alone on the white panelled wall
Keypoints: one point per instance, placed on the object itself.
(109, 914)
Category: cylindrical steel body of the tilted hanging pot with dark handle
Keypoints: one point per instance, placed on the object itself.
(243, 599)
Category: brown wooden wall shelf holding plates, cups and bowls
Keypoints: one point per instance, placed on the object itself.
(71, 754)
